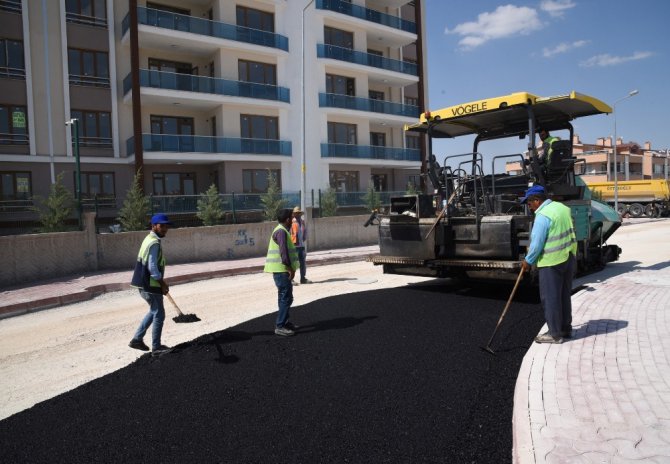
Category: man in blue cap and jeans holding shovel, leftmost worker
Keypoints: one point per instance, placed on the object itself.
(149, 278)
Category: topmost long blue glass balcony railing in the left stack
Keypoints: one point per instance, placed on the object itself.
(185, 23)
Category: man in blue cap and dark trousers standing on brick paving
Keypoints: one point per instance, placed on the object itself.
(553, 248)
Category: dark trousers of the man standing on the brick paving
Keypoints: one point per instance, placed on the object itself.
(555, 293)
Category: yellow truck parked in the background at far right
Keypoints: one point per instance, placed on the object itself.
(636, 197)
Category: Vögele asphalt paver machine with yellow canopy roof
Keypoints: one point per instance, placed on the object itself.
(473, 225)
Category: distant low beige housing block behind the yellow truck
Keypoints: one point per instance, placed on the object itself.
(634, 161)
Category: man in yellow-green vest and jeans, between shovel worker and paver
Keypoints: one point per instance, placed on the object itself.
(282, 262)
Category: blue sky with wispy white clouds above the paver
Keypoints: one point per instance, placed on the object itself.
(603, 48)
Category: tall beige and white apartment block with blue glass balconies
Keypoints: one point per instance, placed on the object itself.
(198, 92)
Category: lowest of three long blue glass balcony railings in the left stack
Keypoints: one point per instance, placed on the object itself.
(205, 144)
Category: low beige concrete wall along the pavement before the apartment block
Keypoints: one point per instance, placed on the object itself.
(27, 258)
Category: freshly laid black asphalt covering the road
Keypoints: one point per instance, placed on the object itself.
(384, 376)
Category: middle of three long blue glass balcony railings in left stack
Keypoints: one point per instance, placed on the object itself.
(203, 84)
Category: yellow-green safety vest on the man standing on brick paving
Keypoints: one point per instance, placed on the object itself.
(561, 239)
